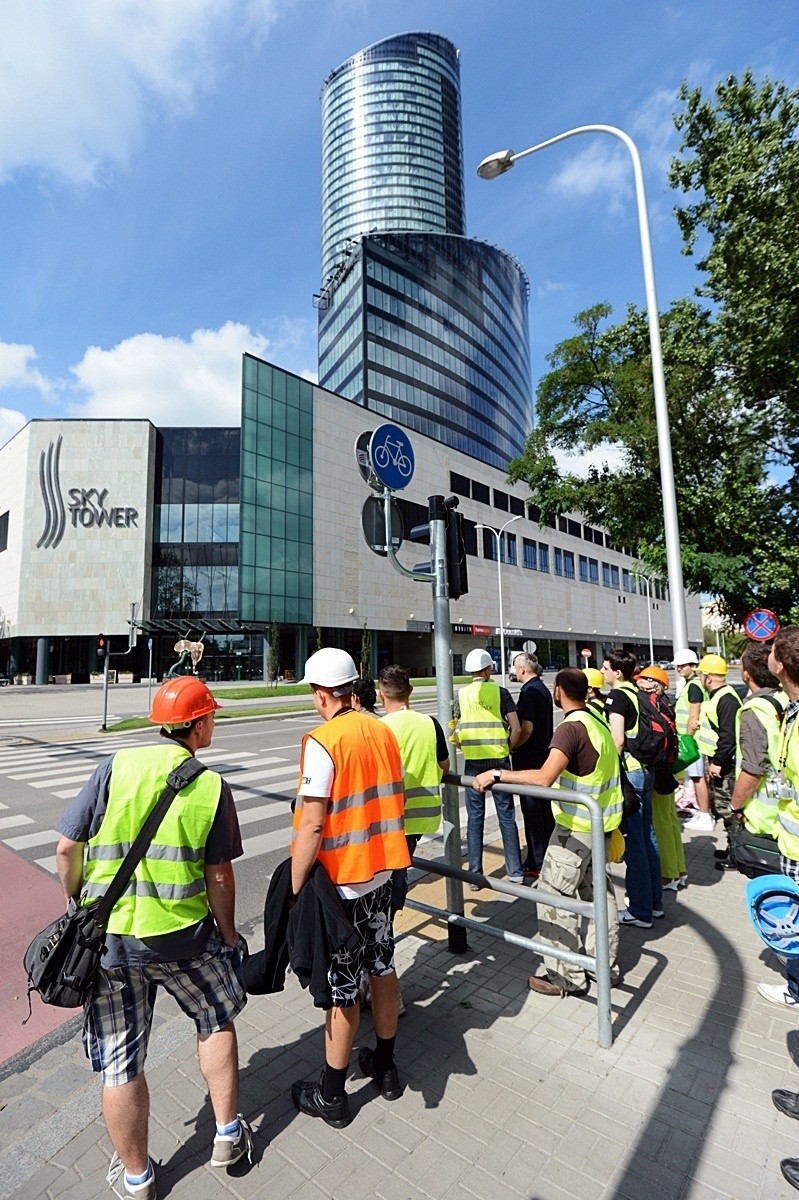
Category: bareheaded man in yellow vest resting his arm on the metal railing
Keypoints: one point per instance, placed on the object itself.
(584, 759)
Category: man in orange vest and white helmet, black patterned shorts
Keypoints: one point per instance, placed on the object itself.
(350, 818)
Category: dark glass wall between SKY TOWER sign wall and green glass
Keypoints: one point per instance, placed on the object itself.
(196, 529)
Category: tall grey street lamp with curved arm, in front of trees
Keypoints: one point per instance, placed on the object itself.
(497, 165)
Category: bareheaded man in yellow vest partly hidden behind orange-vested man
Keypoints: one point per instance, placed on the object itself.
(425, 760)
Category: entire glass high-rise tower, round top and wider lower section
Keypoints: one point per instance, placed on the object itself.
(418, 323)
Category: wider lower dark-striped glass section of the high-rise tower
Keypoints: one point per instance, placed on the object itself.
(432, 332)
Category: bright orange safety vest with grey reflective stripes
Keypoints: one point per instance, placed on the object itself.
(364, 831)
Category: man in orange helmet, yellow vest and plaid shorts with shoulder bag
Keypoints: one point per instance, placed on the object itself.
(175, 928)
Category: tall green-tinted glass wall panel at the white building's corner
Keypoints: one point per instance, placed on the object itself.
(277, 537)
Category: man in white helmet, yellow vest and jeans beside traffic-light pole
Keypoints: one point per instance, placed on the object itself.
(489, 728)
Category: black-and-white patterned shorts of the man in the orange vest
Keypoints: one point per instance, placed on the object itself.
(371, 916)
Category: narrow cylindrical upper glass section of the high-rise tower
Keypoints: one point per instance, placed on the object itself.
(392, 153)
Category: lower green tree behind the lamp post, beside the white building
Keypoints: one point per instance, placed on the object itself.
(735, 524)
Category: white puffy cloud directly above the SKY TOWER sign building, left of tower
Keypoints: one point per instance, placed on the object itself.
(167, 380)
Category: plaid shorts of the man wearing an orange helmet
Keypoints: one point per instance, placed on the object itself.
(119, 1017)
